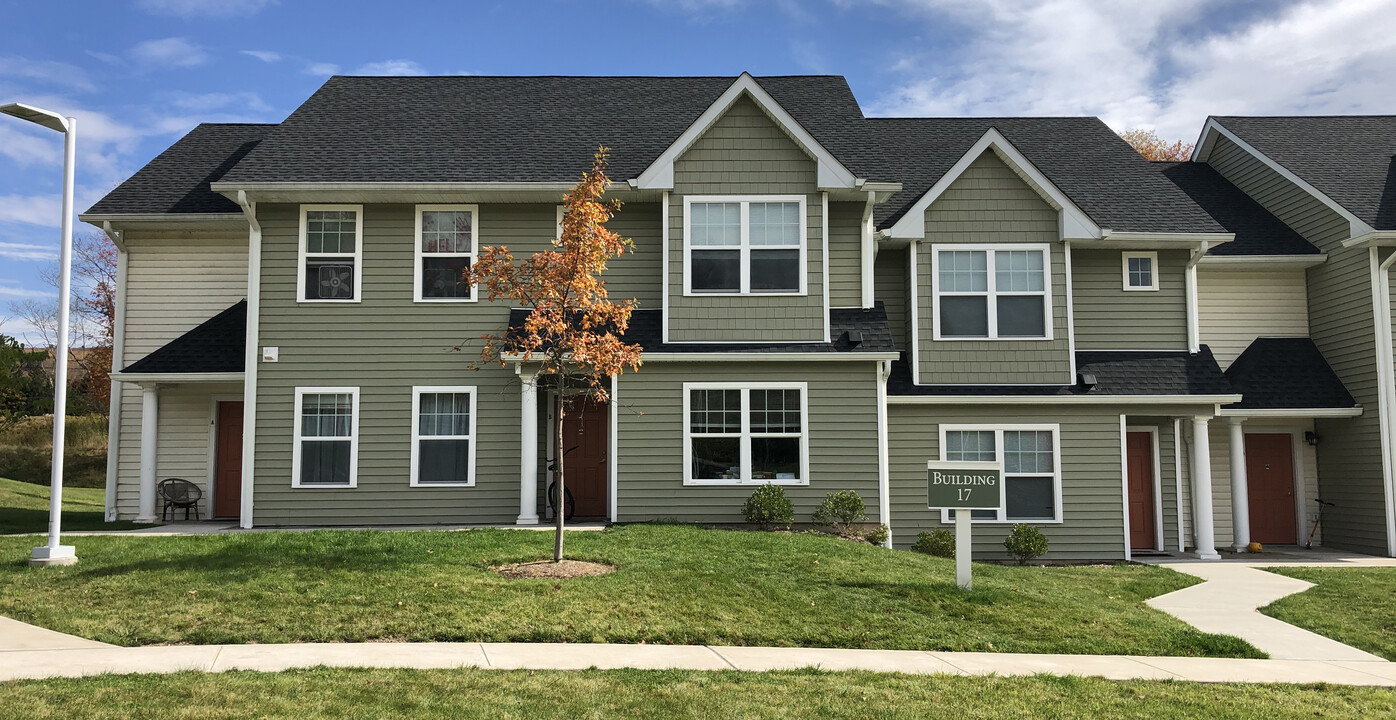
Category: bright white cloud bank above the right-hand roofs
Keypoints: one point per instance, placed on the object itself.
(1150, 65)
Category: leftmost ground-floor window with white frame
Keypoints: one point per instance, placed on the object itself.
(326, 451)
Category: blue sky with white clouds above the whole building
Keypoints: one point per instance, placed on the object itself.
(140, 73)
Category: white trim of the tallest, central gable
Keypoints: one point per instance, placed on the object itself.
(661, 174)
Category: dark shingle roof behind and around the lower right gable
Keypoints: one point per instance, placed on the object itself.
(1081, 156)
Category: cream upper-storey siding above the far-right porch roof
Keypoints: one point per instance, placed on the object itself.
(1236, 308)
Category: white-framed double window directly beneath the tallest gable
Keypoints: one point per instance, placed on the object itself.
(745, 246)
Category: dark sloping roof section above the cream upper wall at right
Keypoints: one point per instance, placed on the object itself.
(1257, 231)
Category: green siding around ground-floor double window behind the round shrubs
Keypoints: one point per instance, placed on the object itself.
(842, 401)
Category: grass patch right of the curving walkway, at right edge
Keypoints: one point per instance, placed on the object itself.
(1355, 606)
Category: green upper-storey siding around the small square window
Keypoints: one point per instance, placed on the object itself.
(1108, 317)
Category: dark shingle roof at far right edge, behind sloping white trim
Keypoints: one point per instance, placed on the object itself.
(1348, 158)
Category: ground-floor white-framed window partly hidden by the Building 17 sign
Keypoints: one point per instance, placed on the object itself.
(1032, 468)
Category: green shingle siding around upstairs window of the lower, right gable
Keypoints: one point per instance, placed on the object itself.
(990, 204)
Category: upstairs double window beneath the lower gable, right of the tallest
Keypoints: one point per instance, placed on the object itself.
(992, 292)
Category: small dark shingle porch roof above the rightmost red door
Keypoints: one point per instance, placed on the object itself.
(1281, 373)
